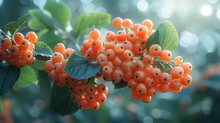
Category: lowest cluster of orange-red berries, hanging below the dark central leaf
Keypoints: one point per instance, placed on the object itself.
(88, 96)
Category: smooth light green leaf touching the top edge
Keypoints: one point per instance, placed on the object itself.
(59, 10)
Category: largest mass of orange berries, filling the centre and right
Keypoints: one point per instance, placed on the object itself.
(124, 57)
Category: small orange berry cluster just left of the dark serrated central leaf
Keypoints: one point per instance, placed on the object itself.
(54, 66)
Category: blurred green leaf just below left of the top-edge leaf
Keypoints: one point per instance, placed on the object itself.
(41, 18)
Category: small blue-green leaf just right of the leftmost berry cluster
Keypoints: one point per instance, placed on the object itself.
(42, 49)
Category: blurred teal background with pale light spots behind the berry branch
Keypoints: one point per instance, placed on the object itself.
(198, 26)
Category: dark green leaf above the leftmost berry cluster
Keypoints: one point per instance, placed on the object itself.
(15, 25)
